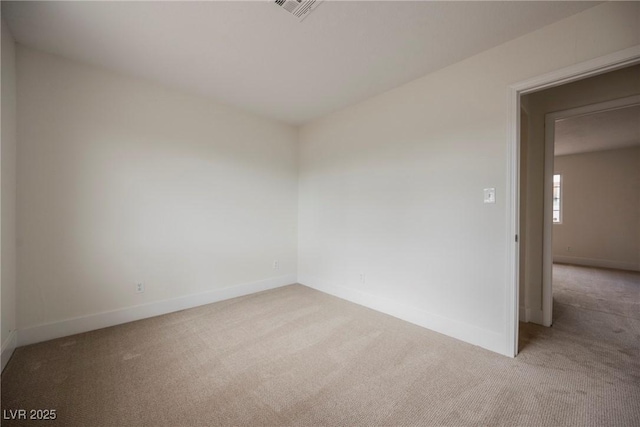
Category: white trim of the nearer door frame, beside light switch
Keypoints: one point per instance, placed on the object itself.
(600, 65)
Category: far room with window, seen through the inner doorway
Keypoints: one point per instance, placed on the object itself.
(596, 221)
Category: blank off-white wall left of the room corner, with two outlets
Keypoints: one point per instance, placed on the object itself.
(121, 180)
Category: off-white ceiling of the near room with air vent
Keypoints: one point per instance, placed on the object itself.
(256, 56)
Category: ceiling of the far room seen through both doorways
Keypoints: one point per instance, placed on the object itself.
(606, 130)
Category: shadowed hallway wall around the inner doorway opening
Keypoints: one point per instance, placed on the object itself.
(605, 87)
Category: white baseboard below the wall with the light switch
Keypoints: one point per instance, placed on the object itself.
(463, 331)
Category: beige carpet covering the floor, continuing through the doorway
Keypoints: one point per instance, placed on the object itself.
(295, 356)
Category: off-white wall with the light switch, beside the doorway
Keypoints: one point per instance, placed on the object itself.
(392, 187)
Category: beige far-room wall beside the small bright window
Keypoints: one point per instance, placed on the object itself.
(600, 209)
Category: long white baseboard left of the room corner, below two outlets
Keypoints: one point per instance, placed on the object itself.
(116, 317)
